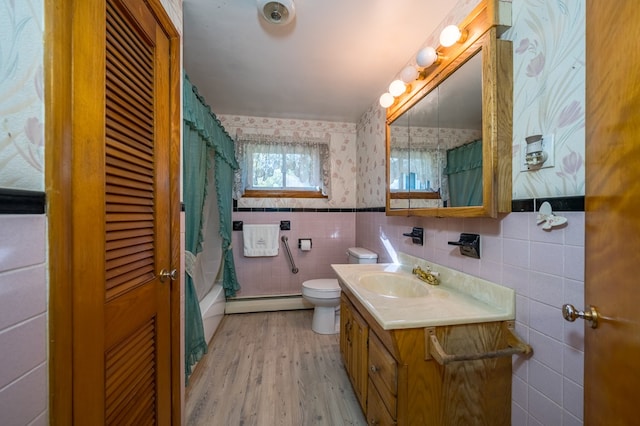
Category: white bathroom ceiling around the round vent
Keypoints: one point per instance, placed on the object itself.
(331, 63)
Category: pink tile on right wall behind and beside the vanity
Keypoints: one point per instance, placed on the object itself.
(545, 268)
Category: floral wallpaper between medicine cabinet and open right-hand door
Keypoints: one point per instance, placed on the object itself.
(549, 93)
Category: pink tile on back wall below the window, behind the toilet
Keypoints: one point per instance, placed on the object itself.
(332, 233)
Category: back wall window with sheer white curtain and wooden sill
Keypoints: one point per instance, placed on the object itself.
(275, 168)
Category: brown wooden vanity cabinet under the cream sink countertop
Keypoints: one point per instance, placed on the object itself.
(398, 383)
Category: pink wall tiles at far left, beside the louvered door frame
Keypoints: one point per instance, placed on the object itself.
(23, 320)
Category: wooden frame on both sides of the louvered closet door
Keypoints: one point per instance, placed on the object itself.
(59, 85)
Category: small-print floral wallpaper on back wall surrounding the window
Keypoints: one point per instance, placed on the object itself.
(342, 151)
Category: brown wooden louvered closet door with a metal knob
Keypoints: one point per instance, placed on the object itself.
(126, 377)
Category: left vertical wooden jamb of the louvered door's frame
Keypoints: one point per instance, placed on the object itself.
(57, 107)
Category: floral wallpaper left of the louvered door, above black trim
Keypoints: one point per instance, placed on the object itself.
(21, 95)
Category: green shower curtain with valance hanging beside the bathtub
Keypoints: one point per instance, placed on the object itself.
(202, 133)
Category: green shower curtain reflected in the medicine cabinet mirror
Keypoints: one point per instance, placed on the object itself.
(464, 170)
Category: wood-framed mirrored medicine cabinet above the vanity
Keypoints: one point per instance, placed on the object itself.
(448, 138)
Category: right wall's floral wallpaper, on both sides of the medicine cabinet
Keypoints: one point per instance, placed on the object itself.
(549, 98)
